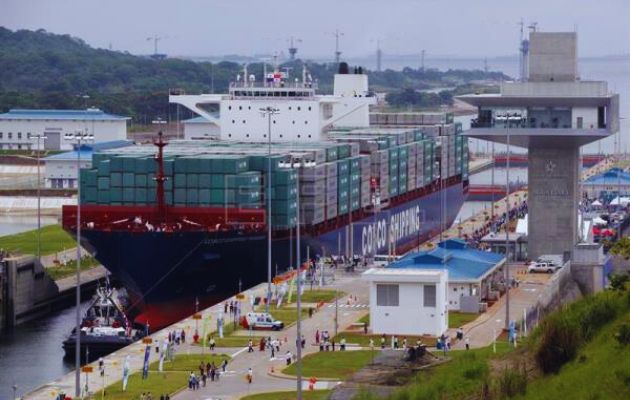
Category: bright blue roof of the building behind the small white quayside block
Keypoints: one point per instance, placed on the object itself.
(463, 263)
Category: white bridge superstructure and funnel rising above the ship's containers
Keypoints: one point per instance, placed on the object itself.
(300, 114)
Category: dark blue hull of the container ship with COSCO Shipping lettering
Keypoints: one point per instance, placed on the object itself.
(167, 273)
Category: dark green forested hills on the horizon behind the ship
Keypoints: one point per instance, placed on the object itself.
(39, 69)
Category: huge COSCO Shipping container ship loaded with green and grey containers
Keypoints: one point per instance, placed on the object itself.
(185, 223)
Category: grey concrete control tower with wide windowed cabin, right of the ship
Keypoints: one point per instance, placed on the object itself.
(552, 113)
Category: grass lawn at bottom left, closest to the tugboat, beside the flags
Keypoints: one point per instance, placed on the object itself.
(174, 378)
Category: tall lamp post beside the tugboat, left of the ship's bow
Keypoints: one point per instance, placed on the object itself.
(78, 138)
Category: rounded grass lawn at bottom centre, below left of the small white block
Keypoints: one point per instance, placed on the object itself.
(334, 365)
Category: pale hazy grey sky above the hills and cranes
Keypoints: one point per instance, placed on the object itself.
(207, 28)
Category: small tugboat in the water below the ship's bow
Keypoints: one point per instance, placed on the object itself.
(104, 328)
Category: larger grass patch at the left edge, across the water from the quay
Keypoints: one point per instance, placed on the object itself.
(53, 239)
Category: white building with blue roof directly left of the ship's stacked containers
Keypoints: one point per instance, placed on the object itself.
(60, 170)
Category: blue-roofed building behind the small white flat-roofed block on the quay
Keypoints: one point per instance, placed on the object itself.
(474, 276)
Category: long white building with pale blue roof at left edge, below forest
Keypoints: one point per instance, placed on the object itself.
(19, 128)
